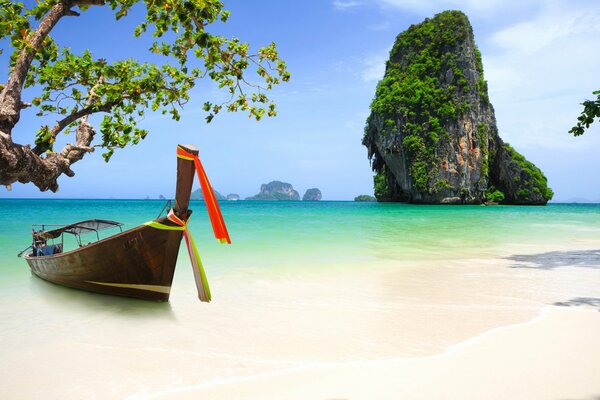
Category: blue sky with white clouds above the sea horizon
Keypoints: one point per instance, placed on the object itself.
(540, 60)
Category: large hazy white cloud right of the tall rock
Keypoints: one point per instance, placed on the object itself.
(539, 71)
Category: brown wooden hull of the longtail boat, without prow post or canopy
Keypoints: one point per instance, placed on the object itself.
(136, 263)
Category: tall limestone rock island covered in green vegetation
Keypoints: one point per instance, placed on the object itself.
(432, 135)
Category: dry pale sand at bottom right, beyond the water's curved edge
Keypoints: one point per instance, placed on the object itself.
(436, 376)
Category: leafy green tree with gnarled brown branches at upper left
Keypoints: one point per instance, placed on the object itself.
(74, 86)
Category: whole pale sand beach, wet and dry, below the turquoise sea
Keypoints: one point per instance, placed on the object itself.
(463, 329)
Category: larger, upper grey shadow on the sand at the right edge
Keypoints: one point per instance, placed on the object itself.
(556, 259)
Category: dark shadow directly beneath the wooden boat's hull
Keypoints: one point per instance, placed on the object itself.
(64, 297)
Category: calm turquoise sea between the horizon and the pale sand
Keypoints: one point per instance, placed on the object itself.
(313, 235)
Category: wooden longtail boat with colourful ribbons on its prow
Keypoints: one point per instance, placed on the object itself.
(139, 262)
